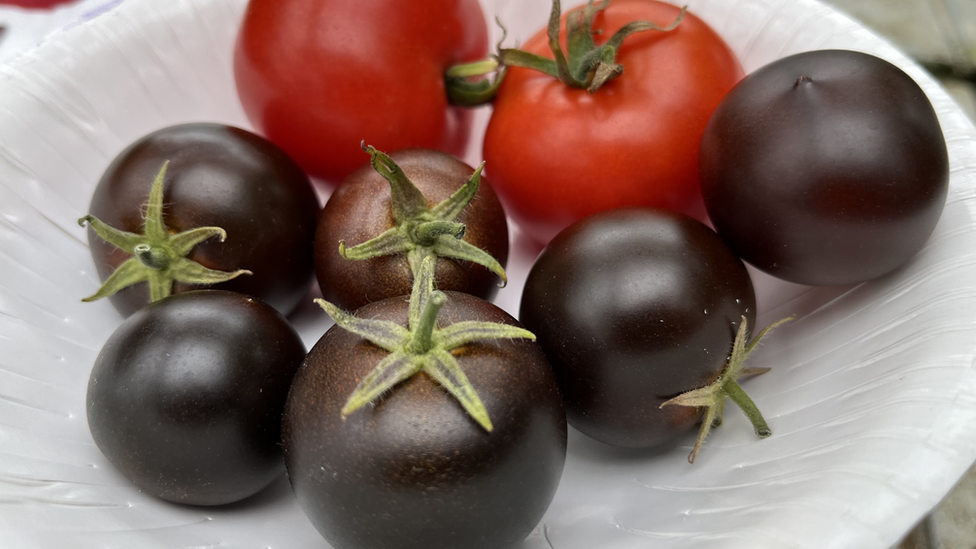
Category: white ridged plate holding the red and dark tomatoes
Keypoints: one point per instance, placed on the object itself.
(872, 397)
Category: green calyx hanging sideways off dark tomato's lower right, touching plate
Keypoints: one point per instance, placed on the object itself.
(712, 396)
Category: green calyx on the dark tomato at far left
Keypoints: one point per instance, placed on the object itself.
(159, 257)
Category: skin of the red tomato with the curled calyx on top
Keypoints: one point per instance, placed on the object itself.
(557, 154)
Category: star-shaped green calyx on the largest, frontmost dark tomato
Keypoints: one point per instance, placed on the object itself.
(421, 347)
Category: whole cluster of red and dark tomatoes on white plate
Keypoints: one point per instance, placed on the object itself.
(428, 417)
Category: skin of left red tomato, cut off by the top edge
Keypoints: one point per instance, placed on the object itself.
(319, 76)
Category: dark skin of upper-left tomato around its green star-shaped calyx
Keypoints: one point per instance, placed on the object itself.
(218, 176)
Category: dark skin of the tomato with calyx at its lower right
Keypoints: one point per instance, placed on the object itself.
(633, 307)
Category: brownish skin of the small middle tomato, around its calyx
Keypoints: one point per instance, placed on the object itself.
(359, 210)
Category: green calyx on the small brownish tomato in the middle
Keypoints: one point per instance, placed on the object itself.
(419, 230)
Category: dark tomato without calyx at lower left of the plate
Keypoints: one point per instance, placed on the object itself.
(186, 397)
